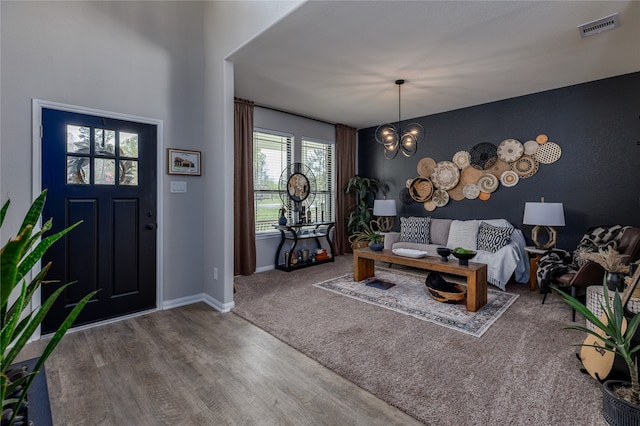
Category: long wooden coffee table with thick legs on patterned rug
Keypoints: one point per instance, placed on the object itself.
(476, 273)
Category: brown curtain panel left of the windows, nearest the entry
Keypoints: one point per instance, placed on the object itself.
(244, 248)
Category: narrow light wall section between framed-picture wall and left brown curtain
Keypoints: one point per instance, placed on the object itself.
(228, 25)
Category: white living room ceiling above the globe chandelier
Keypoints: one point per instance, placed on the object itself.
(337, 60)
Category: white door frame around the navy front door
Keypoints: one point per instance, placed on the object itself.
(36, 174)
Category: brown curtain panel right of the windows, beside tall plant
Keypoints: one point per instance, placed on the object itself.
(345, 170)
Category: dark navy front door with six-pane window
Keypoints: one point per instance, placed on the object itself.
(101, 171)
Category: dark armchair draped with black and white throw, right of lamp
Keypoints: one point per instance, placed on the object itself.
(564, 269)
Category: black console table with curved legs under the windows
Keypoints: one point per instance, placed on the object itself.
(299, 232)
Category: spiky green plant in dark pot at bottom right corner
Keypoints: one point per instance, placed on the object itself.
(620, 399)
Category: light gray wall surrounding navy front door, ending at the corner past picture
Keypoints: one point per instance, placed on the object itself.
(137, 58)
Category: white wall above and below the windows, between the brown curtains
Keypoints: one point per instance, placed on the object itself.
(266, 245)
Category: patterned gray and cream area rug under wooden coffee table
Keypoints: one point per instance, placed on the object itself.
(409, 296)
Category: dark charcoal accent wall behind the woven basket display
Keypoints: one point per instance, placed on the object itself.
(597, 178)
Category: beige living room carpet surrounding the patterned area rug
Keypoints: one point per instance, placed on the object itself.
(522, 371)
